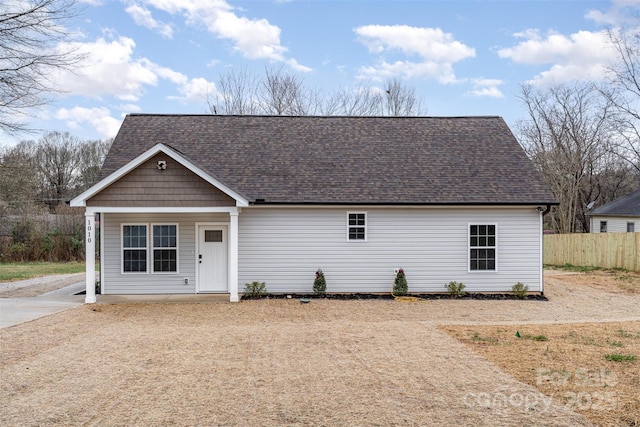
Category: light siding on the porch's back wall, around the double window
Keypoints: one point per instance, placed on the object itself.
(115, 282)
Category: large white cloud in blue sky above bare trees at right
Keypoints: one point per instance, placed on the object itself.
(580, 56)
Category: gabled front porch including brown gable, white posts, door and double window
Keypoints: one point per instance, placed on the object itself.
(161, 210)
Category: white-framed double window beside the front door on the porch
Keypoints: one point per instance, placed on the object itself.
(141, 243)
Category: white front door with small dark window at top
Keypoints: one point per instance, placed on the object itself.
(212, 258)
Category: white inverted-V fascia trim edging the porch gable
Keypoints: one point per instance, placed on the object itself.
(81, 200)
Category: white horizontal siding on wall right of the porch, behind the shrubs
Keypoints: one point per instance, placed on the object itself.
(284, 246)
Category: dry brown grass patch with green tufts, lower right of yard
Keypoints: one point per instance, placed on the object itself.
(576, 367)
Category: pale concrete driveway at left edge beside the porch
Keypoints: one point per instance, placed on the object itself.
(14, 311)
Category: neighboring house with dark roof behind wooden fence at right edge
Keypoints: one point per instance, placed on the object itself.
(620, 215)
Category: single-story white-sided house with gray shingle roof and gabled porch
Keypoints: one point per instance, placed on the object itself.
(205, 203)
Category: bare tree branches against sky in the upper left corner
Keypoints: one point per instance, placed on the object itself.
(30, 32)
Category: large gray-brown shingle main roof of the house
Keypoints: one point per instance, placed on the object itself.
(345, 160)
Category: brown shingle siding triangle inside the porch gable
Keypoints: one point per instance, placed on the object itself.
(146, 186)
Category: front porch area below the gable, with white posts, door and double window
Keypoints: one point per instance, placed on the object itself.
(193, 271)
